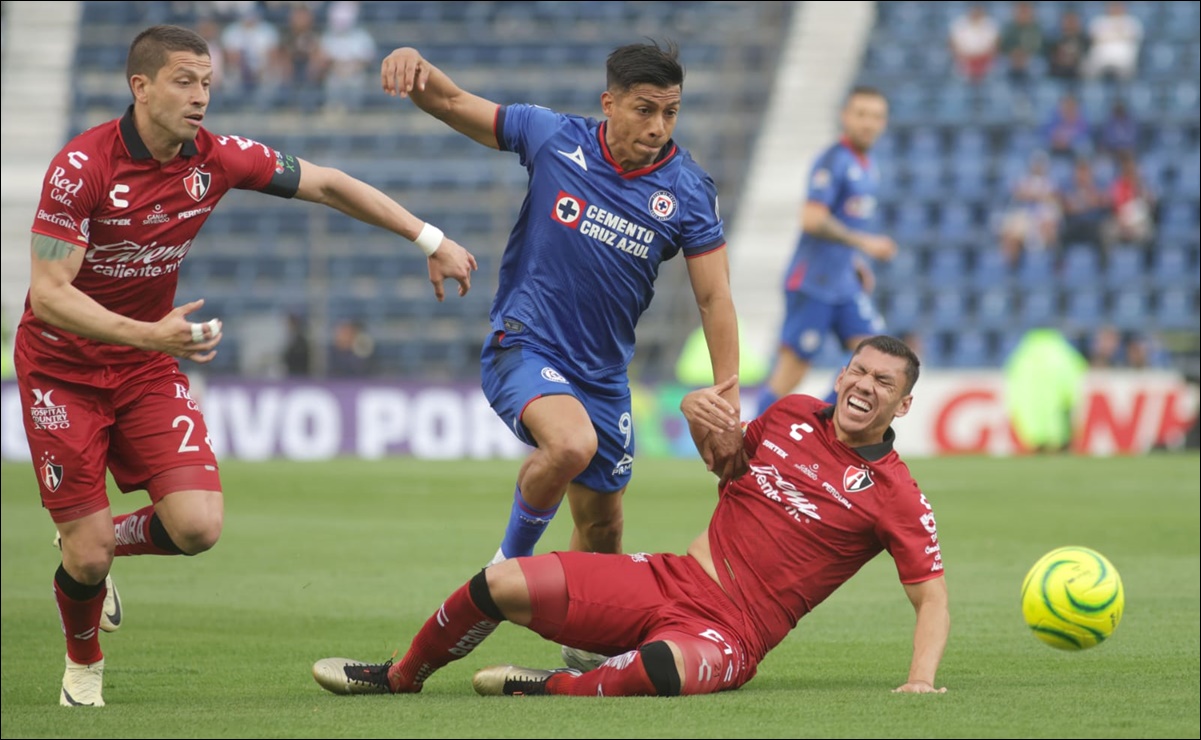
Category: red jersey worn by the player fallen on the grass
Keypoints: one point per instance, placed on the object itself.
(810, 514)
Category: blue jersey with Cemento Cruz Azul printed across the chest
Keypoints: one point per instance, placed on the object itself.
(581, 265)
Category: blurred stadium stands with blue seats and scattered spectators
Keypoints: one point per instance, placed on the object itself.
(1042, 168)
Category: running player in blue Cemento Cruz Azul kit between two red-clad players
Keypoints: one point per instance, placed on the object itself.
(608, 201)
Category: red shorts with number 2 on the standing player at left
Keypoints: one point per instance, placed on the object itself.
(136, 421)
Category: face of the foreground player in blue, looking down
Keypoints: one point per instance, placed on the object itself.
(641, 123)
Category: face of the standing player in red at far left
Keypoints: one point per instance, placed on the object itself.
(178, 97)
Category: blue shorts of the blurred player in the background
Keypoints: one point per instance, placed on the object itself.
(809, 320)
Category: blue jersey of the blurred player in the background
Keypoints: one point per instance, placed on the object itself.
(847, 184)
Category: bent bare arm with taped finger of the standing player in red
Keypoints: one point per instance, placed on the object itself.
(56, 301)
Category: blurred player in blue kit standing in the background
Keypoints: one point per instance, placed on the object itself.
(829, 281)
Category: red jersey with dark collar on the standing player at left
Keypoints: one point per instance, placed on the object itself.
(136, 219)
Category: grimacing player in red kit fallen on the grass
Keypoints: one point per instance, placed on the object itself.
(824, 494)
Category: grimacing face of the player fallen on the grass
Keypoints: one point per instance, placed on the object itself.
(871, 393)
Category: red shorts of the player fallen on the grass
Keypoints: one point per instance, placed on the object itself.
(618, 604)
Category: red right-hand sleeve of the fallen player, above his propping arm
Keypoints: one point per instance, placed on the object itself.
(911, 535)
